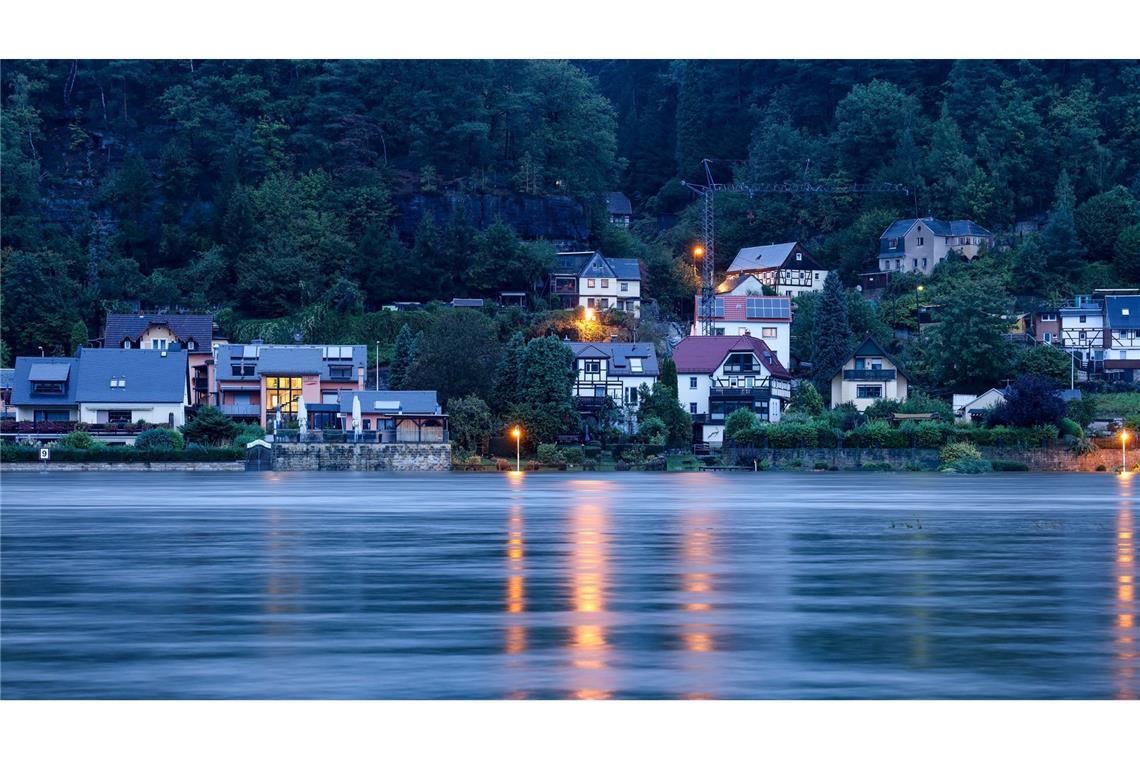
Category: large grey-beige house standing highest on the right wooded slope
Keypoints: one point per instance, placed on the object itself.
(918, 246)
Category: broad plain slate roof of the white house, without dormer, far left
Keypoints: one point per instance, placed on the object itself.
(149, 375)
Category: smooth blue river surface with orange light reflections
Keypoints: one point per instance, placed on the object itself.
(591, 586)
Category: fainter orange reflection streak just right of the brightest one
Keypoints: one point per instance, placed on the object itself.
(697, 577)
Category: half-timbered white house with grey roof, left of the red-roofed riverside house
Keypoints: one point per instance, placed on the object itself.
(607, 372)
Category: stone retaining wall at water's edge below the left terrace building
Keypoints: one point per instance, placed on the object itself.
(394, 457)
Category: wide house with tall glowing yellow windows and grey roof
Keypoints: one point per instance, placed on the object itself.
(251, 382)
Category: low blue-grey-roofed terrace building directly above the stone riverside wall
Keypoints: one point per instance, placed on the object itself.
(396, 416)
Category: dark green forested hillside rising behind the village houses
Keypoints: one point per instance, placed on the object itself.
(266, 189)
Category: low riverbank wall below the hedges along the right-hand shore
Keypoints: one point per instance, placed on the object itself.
(1044, 460)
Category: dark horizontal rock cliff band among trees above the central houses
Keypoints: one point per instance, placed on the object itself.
(558, 219)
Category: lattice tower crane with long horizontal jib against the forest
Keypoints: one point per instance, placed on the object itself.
(706, 252)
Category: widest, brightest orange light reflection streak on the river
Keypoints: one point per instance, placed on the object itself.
(589, 565)
